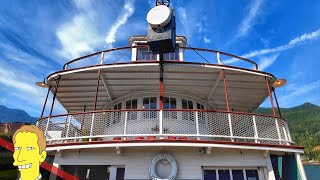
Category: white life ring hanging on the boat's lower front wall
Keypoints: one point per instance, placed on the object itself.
(156, 159)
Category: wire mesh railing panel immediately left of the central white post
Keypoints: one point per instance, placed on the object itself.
(142, 122)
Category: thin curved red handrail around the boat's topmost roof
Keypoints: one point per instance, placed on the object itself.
(145, 46)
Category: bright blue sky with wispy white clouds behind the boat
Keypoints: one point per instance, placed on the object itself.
(38, 37)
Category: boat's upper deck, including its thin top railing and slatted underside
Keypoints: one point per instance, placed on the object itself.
(77, 82)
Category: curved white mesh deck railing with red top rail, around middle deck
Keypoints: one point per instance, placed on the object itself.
(130, 124)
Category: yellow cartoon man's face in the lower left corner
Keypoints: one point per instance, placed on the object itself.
(26, 154)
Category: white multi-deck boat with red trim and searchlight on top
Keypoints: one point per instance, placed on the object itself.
(155, 110)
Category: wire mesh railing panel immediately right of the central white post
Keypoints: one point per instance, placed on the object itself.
(179, 122)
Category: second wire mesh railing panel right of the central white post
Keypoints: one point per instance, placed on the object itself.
(216, 123)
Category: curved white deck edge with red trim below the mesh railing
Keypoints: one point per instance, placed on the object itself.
(175, 143)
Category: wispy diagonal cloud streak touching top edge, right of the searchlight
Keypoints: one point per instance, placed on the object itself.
(248, 21)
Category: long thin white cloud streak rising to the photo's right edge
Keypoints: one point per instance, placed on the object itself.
(292, 43)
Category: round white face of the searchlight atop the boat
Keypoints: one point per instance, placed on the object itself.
(159, 16)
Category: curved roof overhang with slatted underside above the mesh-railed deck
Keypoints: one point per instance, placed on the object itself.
(77, 87)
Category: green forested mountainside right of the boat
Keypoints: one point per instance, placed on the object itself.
(304, 124)
